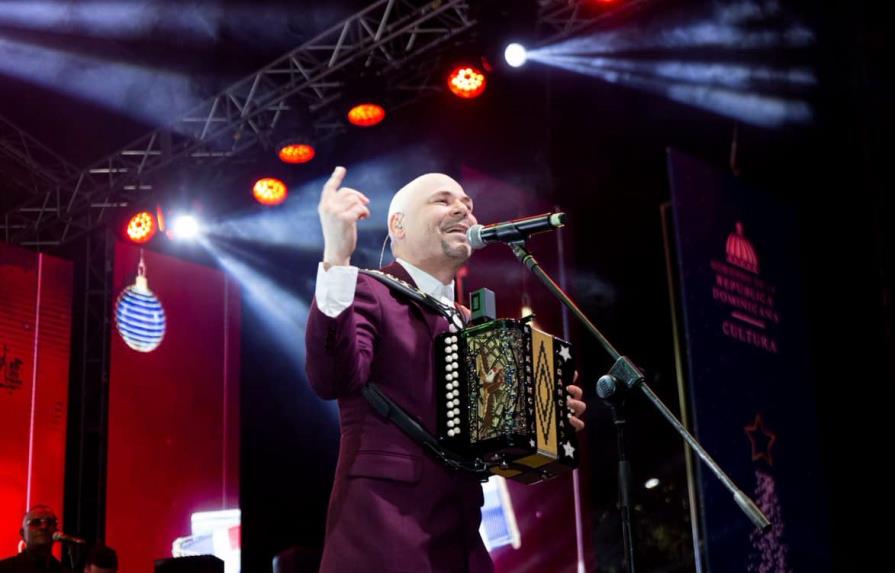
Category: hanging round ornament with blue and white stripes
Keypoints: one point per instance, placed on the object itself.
(139, 315)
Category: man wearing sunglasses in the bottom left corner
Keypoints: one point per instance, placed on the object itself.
(38, 527)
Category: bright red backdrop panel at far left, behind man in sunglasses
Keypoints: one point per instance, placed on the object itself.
(35, 330)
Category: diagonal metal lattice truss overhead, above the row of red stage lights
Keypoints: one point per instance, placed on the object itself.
(384, 39)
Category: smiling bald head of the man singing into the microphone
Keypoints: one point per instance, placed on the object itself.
(429, 230)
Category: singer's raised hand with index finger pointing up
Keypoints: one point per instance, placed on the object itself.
(340, 209)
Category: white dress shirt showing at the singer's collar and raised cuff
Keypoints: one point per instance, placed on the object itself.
(335, 287)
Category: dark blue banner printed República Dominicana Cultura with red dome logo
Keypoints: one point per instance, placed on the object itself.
(750, 385)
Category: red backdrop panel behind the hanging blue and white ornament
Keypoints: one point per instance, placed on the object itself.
(173, 412)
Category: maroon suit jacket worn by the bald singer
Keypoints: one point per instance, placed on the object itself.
(393, 509)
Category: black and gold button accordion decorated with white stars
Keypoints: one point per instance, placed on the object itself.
(502, 399)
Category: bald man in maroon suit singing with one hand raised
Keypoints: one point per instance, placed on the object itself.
(393, 508)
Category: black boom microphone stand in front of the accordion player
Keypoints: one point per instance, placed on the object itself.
(613, 388)
